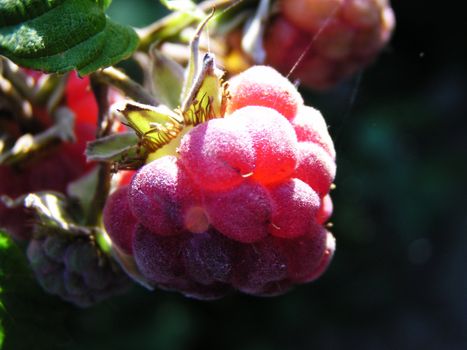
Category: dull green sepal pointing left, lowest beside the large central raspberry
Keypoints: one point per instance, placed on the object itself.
(112, 147)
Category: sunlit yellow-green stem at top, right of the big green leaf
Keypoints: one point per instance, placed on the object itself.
(152, 32)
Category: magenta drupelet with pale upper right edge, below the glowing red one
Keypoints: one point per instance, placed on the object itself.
(295, 209)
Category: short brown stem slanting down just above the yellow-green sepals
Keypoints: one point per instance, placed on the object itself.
(113, 77)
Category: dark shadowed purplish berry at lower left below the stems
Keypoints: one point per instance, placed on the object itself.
(74, 269)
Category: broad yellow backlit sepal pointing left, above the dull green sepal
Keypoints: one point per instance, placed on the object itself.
(155, 126)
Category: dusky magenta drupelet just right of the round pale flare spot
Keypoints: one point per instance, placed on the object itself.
(242, 213)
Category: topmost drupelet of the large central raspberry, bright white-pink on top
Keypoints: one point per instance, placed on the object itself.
(263, 86)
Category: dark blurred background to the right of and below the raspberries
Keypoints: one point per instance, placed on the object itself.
(399, 276)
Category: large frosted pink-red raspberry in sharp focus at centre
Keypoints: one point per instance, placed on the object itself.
(243, 205)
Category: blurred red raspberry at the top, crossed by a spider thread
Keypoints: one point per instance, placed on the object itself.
(338, 37)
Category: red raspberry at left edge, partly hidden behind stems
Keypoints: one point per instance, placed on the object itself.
(54, 169)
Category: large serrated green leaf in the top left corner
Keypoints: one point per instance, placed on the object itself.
(81, 36)
